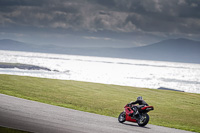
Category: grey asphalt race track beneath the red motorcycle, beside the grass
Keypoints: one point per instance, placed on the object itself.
(43, 118)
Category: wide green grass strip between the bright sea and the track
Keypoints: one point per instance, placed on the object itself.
(172, 109)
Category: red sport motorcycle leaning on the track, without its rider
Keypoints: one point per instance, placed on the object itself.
(142, 118)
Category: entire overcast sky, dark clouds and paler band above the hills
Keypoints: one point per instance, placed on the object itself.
(102, 23)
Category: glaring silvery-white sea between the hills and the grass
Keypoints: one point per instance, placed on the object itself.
(117, 71)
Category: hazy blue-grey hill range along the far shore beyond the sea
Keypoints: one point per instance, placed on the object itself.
(174, 50)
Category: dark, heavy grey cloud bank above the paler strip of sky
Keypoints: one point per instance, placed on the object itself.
(147, 17)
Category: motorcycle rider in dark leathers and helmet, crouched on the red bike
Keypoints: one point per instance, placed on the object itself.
(141, 103)
